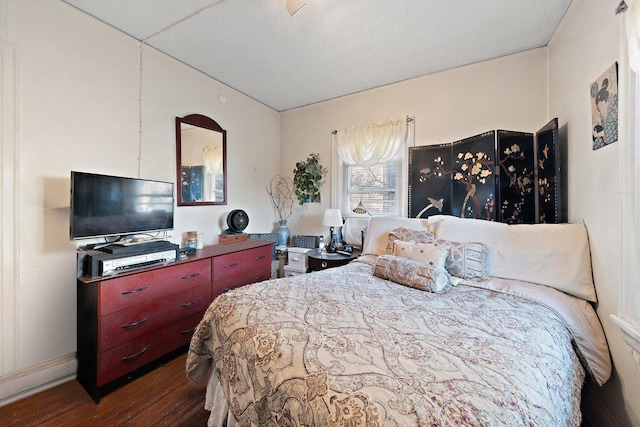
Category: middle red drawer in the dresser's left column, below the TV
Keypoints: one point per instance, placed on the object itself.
(125, 325)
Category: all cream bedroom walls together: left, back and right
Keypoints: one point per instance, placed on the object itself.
(76, 107)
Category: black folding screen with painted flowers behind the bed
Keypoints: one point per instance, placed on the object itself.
(504, 176)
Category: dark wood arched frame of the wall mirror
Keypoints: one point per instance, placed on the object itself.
(204, 122)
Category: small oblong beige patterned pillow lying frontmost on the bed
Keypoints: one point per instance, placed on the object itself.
(411, 273)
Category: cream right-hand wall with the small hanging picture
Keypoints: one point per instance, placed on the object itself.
(585, 45)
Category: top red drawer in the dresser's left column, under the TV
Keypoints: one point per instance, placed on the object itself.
(128, 291)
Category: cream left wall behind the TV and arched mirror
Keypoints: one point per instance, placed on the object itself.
(77, 108)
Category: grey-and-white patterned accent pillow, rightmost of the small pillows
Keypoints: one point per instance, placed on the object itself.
(471, 260)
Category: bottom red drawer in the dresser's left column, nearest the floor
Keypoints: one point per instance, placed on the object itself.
(131, 355)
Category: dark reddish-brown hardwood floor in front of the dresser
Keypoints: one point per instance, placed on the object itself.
(162, 397)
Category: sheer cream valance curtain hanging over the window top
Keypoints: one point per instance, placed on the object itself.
(373, 143)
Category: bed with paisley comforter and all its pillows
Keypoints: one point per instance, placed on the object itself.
(502, 332)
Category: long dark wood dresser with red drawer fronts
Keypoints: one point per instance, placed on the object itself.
(126, 322)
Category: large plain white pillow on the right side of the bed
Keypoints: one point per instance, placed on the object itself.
(555, 255)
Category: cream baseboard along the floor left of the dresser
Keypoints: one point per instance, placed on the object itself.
(37, 378)
